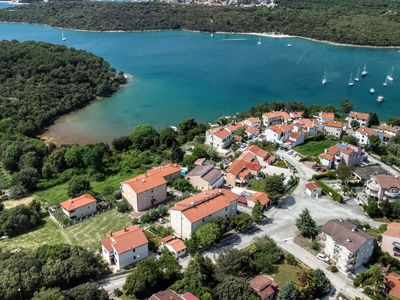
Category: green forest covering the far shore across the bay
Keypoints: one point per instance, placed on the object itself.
(363, 22)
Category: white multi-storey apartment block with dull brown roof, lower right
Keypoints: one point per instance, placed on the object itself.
(346, 245)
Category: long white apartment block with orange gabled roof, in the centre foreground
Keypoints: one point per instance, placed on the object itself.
(189, 214)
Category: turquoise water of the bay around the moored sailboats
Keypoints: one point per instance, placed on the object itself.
(178, 75)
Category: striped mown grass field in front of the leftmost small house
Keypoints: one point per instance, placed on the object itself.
(86, 234)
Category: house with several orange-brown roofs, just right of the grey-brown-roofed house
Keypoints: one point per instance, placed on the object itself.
(243, 169)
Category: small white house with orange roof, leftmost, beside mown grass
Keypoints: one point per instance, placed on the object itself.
(79, 207)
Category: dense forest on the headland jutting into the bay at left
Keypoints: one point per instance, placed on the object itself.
(39, 82)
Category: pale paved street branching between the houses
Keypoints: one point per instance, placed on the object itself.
(281, 227)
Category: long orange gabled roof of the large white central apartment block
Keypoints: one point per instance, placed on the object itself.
(204, 204)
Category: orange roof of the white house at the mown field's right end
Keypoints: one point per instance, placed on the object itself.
(125, 240)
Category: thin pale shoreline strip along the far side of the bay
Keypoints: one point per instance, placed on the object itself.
(262, 34)
